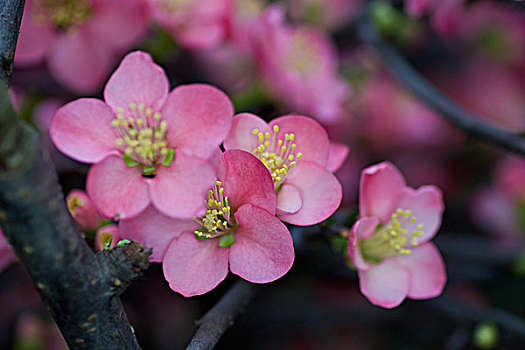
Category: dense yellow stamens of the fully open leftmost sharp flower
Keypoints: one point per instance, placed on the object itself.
(141, 135)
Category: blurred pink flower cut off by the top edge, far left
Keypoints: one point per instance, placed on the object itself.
(79, 39)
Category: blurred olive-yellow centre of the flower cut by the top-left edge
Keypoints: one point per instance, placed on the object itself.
(64, 14)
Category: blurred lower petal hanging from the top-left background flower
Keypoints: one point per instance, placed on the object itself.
(78, 63)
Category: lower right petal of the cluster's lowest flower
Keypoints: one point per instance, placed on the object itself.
(263, 249)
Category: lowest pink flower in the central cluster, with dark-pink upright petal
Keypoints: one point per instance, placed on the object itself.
(239, 229)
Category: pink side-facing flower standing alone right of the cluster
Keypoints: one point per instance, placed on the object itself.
(390, 245)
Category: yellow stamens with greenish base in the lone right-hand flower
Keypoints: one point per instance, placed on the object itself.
(396, 237)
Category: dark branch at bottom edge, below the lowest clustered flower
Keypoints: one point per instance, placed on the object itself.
(216, 321)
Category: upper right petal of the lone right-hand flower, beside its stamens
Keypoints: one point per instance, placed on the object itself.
(426, 205)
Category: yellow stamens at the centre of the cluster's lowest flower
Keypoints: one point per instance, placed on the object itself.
(218, 221)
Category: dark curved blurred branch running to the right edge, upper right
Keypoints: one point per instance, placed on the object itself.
(419, 86)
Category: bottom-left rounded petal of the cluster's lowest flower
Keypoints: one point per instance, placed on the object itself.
(194, 267)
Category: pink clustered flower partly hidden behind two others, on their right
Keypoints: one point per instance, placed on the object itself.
(296, 151)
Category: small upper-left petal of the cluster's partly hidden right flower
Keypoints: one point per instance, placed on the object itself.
(241, 136)
